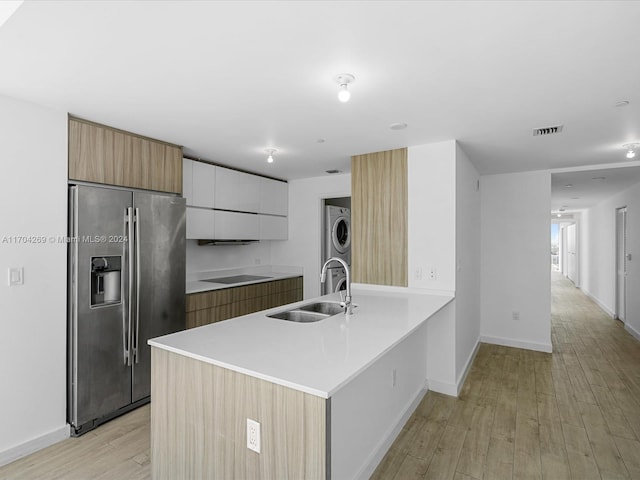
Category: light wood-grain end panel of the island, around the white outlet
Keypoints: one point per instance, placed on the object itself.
(198, 424)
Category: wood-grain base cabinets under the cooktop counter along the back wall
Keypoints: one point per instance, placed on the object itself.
(216, 305)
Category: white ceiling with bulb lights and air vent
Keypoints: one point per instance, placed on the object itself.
(229, 79)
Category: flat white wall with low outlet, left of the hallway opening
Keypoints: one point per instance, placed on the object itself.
(515, 264)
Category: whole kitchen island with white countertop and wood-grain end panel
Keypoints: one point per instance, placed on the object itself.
(330, 395)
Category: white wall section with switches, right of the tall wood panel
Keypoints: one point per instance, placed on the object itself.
(432, 216)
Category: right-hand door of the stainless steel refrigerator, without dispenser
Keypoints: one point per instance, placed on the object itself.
(161, 264)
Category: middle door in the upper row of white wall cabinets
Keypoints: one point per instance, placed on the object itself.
(237, 190)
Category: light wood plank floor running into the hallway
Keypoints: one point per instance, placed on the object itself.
(571, 414)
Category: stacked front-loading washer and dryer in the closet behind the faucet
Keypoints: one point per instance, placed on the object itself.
(337, 243)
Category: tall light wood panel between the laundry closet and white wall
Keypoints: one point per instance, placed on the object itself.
(379, 203)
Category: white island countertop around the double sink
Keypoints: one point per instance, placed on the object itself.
(317, 358)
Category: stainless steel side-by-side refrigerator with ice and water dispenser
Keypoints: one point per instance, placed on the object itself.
(126, 285)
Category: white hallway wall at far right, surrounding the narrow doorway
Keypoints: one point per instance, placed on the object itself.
(597, 259)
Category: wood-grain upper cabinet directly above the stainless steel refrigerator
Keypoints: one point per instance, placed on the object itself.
(106, 155)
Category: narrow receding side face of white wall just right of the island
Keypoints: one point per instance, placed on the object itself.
(467, 262)
